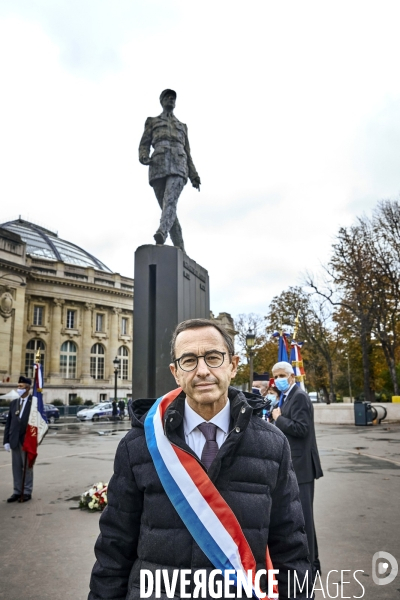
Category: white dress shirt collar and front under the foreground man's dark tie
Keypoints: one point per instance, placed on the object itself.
(193, 436)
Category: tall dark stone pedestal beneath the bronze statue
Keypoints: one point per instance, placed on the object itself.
(169, 288)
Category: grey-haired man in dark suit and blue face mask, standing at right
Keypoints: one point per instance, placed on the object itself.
(295, 418)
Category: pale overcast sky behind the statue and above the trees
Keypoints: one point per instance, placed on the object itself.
(293, 111)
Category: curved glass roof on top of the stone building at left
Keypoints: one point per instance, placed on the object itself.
(45, 244)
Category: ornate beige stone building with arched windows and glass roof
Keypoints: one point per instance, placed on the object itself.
(57, 298)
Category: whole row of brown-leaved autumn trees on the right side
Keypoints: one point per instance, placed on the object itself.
(349, 316)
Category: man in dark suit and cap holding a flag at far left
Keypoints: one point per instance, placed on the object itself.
(14, 434)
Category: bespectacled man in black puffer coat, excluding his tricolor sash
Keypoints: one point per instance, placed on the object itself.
(248, 461)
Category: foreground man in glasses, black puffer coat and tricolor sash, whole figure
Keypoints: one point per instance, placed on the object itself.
(199, 481)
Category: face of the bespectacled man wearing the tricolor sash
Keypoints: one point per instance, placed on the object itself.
(204, 385)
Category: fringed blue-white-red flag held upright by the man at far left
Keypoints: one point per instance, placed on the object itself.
(37, 424)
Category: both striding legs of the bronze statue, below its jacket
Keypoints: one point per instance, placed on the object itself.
(169, 223)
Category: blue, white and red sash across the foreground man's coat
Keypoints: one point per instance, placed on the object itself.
(207, 516)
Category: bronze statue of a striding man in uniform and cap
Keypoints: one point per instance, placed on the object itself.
(170, 165)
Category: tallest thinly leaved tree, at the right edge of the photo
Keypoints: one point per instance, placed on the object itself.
(363, 278)
